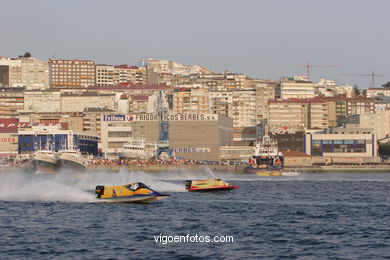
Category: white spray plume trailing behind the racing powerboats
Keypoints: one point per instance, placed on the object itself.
(71, 186)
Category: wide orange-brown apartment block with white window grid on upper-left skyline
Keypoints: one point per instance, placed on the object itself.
(71, 73)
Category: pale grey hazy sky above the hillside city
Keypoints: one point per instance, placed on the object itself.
(264, 39)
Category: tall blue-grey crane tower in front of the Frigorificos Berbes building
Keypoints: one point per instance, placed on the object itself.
(163, 140)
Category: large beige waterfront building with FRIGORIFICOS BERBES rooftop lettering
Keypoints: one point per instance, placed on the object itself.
(191, 136)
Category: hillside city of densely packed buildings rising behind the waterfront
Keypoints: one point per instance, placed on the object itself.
(213, 116)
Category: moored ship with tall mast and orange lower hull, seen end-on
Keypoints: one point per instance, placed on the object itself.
(267, 160)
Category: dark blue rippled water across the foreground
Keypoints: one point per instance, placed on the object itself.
(327, 216)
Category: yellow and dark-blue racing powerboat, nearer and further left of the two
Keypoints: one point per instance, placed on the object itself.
(134, 192)
